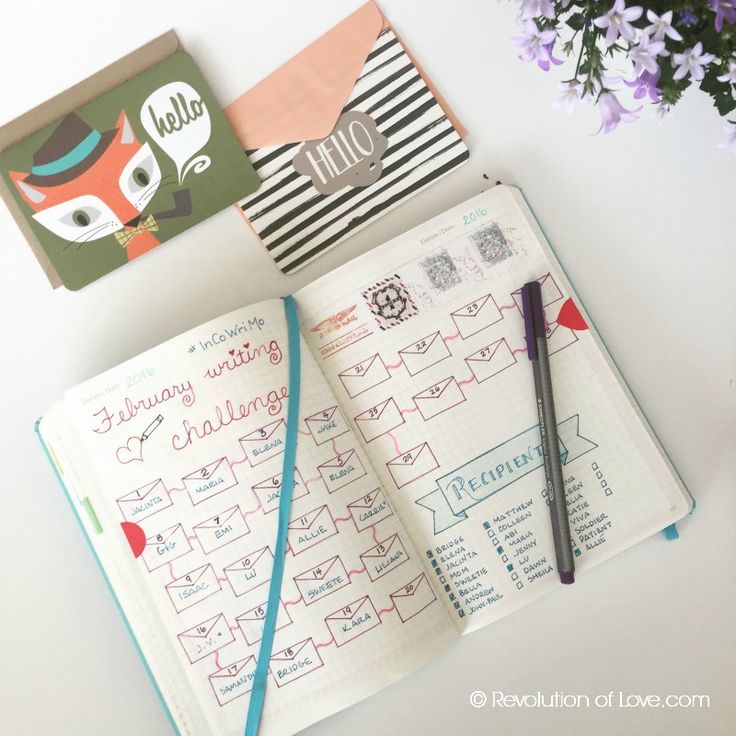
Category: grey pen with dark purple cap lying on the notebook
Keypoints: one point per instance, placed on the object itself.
(536, 343)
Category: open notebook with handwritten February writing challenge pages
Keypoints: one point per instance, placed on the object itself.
(418, 511)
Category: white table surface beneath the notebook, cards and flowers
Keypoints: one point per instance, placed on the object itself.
(643, 221)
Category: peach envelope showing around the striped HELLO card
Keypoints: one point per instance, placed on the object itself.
(304, 97)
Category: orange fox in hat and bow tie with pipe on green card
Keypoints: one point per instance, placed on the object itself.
(85, 185)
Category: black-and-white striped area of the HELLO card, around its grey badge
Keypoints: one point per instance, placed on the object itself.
(297, 223)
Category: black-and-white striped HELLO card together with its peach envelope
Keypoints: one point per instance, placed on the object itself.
(343, 132)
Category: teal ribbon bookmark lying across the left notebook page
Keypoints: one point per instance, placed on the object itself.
(258, 694)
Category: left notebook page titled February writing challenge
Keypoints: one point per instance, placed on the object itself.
(183, 446)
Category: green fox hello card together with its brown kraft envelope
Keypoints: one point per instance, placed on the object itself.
(119, 163)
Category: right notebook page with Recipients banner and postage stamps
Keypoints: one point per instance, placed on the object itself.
(423, 343)
